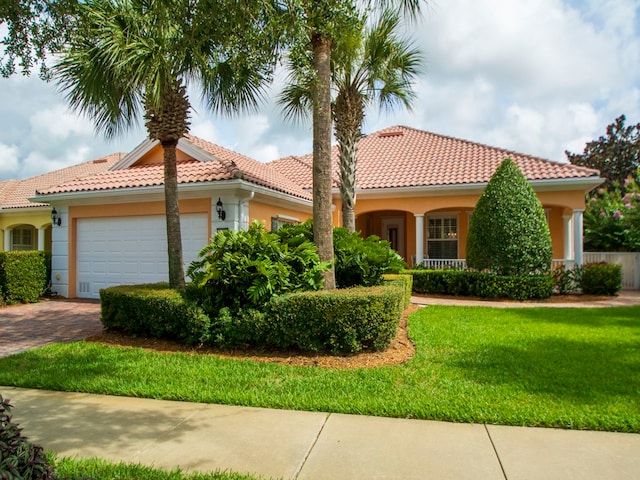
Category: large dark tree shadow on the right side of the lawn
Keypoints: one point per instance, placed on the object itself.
(568, 369)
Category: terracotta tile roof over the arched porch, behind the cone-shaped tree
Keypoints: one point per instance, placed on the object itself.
(405, 157)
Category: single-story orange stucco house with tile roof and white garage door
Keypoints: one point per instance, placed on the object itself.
(416, 189)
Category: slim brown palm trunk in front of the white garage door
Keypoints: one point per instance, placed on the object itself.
(172, 210)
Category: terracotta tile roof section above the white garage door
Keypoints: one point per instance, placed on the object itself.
(229, 166)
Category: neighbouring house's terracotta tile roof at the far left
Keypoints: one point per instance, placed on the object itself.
(17, 192)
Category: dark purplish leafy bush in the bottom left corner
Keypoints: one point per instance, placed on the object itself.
(19, 458)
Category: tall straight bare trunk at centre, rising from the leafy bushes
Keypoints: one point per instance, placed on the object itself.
(322, 179)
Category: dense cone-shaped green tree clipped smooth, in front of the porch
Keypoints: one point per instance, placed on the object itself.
(509, 234)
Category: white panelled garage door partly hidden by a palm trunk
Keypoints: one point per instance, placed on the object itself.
(131, 250)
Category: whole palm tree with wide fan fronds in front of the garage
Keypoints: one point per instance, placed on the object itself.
(133, 57)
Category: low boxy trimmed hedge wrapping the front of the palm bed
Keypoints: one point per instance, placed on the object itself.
(338, 321)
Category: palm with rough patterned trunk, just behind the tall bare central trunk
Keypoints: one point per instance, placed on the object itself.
(368, 66)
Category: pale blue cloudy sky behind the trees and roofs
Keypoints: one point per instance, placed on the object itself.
(537, 77)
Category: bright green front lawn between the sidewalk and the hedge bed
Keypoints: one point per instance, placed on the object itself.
(570, 368)
